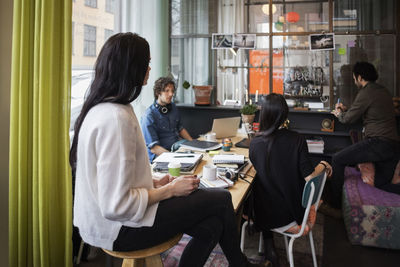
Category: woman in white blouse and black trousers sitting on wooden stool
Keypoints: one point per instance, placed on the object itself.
(117, 205)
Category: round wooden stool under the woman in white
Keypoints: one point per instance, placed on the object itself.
(150, 256)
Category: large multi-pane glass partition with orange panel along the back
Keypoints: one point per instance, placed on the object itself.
(282, 61)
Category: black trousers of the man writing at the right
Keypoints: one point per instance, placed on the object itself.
(384, 153)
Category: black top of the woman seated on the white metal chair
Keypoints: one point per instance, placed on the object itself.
(278, 189)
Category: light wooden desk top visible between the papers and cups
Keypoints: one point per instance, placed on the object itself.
(241, 188)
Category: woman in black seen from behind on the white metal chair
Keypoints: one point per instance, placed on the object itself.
(280, 157)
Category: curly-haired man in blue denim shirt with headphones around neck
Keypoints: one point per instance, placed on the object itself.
(161, 123)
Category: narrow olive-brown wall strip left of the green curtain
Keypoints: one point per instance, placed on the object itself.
(6, 10)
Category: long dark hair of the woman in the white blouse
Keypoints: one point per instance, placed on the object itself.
(120, 70)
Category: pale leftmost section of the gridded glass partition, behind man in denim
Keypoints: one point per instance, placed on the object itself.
(192, 22)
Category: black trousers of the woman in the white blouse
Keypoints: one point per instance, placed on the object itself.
(207, 215)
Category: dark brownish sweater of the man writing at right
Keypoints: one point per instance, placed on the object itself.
(374, 105)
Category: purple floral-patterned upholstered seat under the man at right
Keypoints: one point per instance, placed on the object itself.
(371, 215)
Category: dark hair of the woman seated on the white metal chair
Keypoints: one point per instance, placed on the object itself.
(274, 112)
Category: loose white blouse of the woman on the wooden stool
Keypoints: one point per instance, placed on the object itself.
(112, 175)
